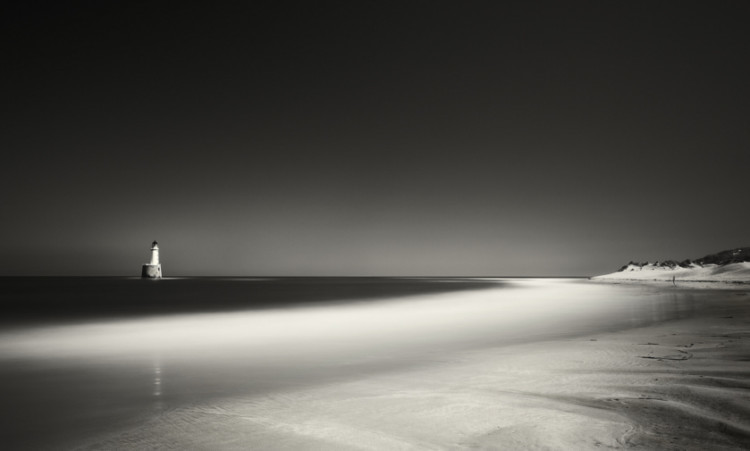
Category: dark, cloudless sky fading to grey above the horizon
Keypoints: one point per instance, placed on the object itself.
(372, 137)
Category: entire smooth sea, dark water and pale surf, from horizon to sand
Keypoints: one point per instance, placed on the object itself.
(83, 360)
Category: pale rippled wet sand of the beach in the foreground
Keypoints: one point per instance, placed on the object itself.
(681, 384)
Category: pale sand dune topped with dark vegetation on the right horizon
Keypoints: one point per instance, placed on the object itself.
(726, 266)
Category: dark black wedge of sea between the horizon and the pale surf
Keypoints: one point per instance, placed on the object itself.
(27, 300)
